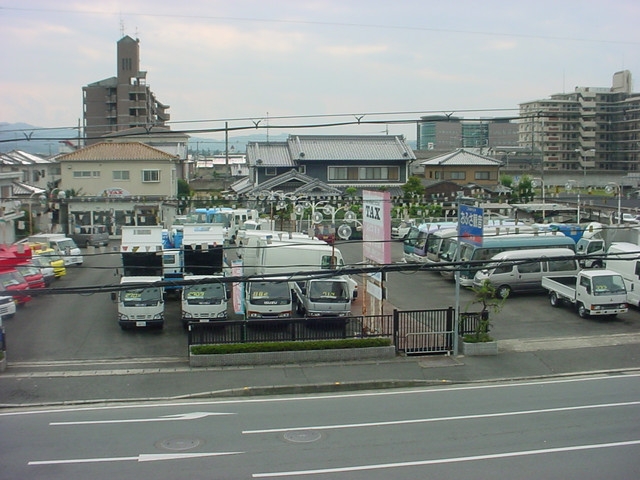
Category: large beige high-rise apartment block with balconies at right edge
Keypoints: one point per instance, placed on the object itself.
(589, 129)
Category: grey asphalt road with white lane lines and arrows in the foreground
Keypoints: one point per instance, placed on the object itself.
(581, 428)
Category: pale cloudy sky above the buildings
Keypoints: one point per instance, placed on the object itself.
(290, 65)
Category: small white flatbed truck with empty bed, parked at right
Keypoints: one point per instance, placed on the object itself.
(591, 292)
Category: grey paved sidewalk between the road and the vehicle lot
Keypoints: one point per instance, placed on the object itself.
(149, 379)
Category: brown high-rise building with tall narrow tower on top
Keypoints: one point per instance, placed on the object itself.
(121, 102)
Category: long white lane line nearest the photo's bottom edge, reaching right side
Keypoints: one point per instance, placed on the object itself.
(439, 461)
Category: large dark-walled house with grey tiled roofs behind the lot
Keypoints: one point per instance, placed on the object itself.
(326, 166)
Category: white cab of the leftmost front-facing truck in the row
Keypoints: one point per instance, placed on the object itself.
(140, 302)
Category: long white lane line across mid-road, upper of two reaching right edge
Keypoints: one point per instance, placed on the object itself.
(443, 419)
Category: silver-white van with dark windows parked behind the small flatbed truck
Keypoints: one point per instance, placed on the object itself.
(522, 270)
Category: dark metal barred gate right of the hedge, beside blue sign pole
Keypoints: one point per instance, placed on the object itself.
(419, 332)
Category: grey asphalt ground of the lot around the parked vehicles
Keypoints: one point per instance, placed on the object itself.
(76, 327)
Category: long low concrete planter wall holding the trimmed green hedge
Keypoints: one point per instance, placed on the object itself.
(306, 356)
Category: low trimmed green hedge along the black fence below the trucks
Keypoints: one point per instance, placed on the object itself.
(289, 346)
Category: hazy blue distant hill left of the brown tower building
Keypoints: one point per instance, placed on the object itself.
(32, 139)
